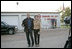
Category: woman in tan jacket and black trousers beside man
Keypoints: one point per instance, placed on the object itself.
(36, 29)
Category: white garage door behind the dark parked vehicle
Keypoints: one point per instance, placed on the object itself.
(10, 19)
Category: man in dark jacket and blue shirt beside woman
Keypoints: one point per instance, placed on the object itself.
(28, 27)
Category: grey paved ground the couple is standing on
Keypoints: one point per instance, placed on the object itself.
(49, 38)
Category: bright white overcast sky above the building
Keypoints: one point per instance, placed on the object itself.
(33, 6)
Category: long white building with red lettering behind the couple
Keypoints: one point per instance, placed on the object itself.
(16, 18)
